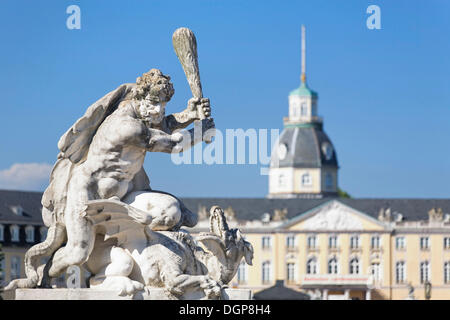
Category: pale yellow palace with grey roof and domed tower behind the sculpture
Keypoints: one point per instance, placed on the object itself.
(303, 234)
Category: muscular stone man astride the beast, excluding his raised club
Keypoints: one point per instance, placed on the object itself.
(101, 157)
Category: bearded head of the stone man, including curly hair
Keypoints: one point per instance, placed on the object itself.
(152, 93)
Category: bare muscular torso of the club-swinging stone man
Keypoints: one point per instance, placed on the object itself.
(116, 154)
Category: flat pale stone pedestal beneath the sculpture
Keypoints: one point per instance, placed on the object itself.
(91, 294)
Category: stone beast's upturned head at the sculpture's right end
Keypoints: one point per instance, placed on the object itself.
(227, 245)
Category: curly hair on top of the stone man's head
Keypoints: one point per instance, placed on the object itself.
(155, 83)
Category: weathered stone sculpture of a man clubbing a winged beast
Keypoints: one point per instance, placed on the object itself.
(101, 211)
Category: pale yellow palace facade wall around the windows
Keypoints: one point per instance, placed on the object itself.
(386, 255)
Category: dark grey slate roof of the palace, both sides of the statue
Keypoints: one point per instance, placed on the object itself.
(245, 209)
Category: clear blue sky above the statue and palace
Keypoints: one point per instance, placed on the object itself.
(384, 94)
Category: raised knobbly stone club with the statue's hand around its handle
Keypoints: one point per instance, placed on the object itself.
(185, 46)
